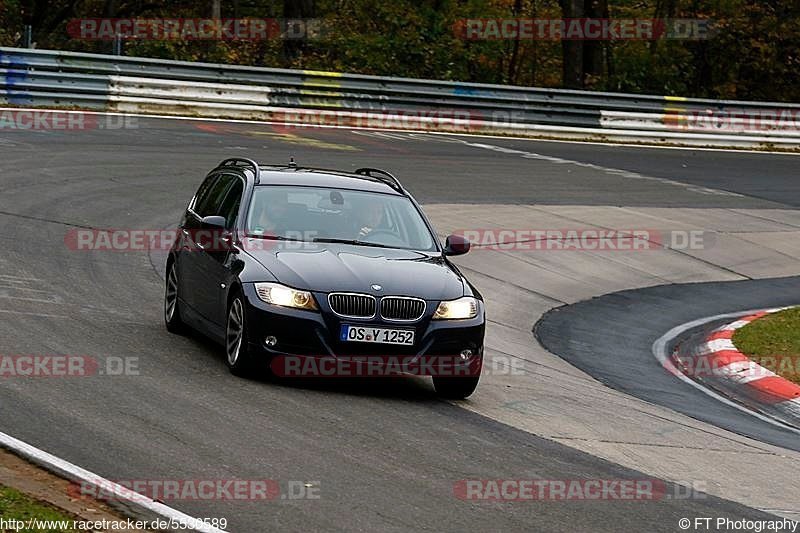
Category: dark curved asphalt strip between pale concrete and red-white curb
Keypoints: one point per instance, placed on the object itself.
(610, 338)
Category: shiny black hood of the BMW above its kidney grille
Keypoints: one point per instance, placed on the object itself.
(334, 267)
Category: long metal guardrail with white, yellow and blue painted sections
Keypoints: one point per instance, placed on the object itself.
(44, 78)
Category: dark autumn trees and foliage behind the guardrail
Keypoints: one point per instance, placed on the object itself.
(752, 53)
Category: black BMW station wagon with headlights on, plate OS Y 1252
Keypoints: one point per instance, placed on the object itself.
(284, 261)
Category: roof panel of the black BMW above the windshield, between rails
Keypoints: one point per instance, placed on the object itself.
(310, 177)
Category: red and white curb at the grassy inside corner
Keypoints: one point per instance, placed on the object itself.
(718, 364)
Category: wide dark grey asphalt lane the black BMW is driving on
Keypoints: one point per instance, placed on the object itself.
(386, 455)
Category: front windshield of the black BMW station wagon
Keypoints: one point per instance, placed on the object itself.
(337, 215)
